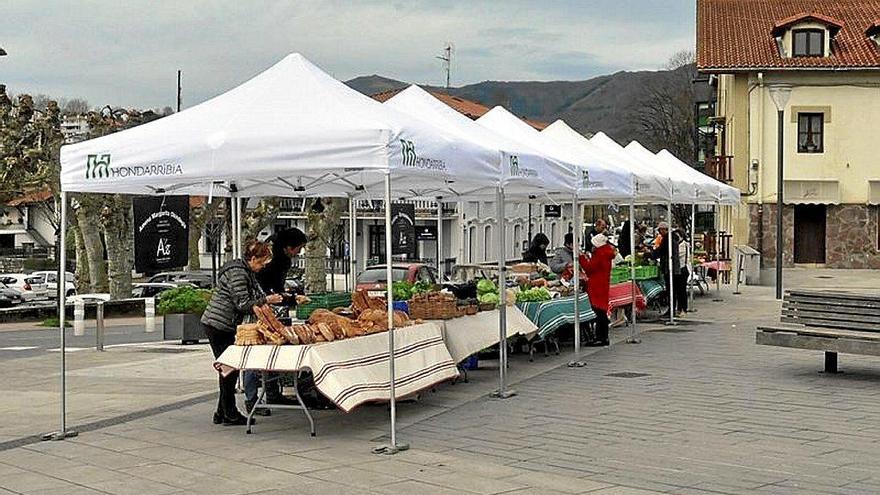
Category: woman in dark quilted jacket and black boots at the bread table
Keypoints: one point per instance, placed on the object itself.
(236, 293)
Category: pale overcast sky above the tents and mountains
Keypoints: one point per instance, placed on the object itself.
(127, 52)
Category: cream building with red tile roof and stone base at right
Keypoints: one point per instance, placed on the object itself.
(825, 55)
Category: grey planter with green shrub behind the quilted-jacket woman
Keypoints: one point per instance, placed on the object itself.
(181, 309)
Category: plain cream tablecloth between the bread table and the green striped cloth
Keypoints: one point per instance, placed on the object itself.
(470, 334)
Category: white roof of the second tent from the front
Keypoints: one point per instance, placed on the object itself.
(419, 103)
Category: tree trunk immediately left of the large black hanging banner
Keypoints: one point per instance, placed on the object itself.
(116, 221)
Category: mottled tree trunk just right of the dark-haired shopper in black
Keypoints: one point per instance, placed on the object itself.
(322, 226)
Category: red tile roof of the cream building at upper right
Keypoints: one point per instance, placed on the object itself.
(738, 35)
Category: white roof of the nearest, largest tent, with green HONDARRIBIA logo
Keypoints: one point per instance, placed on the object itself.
(291, 130)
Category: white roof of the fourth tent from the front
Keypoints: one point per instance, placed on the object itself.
(647, 186)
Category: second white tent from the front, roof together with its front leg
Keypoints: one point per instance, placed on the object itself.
(525, 173)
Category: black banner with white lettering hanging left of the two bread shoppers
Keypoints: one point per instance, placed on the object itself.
(161, 233)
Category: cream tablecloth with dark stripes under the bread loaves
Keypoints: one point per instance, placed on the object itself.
(354, 371)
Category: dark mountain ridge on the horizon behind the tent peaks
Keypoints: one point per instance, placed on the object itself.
(608, 103)
